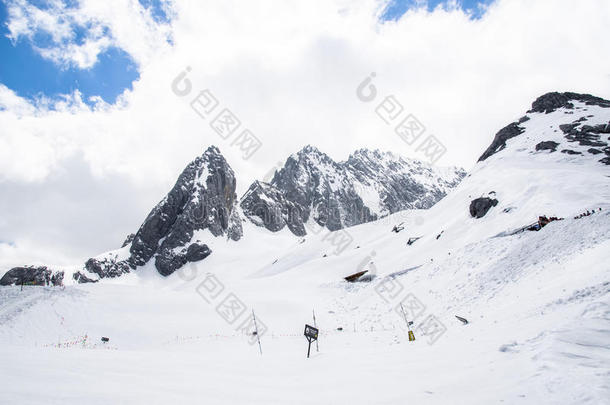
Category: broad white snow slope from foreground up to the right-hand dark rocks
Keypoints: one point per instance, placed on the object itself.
(538, 305)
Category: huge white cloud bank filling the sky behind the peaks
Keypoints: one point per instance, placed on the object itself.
(289, 71)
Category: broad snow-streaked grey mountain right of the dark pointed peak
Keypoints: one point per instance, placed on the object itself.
(311, 187)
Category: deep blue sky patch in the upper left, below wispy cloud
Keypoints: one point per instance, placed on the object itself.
(29, 75)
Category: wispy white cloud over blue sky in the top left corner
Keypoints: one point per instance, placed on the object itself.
(123, 24)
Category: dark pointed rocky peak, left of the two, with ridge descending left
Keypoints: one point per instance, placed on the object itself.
(202, 198)
